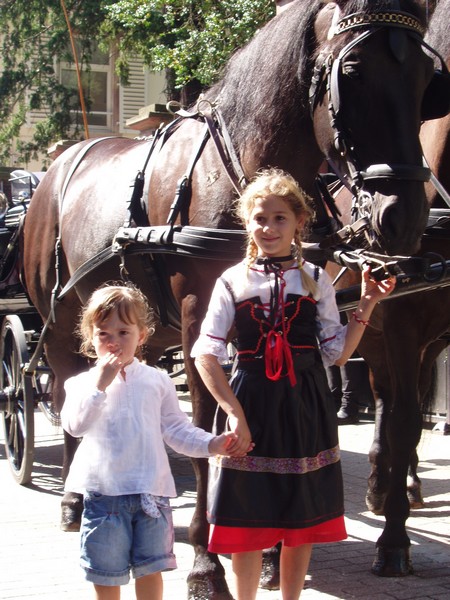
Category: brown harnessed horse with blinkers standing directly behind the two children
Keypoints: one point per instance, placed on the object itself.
(345, 81)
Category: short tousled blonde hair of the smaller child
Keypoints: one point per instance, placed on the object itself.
(132, 308)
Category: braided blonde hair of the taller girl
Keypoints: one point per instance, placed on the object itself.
(275, 182)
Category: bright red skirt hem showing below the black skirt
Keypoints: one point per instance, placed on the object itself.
(227, 540)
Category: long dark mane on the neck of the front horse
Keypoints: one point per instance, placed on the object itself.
(263, 92)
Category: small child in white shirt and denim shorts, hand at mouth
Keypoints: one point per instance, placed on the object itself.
(125, 411)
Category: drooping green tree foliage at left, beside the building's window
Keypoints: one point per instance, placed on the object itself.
(34, 38)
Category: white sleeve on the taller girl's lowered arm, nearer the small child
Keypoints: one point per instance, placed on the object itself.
(216, 324)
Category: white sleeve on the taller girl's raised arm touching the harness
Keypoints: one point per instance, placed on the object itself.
(331, 332)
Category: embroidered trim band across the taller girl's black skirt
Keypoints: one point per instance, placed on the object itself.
(284, 466)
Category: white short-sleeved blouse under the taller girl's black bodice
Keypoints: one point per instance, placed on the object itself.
(247, 283)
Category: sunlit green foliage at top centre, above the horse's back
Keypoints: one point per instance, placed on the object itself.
(193, 39)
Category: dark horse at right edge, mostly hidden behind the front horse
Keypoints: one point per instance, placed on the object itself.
(406, 335)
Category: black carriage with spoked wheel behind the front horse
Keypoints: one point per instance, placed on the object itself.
(20, 331)
